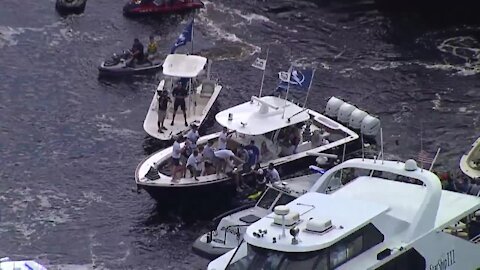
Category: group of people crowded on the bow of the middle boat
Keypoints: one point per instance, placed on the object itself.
(228, 157)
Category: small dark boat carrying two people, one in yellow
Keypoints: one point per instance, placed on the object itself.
(118, 65)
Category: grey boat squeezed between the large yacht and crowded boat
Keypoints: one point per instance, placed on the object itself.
(232, 225)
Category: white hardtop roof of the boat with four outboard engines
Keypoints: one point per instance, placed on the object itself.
(262, 115)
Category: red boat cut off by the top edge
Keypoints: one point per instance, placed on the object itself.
(144, 7)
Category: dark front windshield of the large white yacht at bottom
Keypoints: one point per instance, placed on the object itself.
(260, 258)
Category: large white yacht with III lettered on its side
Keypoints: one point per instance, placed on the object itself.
(373, 222)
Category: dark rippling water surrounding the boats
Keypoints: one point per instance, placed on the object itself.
(69, 143)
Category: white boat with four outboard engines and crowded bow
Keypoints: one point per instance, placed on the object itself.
(268, 121)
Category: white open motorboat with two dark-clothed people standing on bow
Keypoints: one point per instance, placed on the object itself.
(198, 103)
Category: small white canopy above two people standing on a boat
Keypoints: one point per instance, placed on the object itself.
(182, 65)
